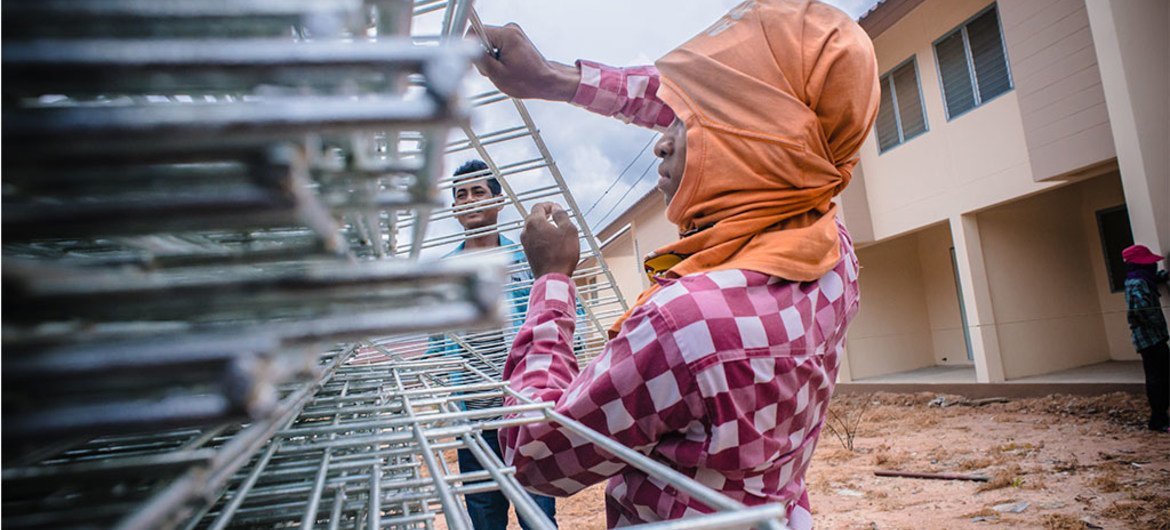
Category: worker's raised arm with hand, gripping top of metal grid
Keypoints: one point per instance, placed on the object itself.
(520, 71)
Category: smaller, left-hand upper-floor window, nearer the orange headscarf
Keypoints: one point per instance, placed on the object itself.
(900, 116)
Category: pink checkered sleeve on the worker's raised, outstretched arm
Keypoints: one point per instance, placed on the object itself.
(628, 94)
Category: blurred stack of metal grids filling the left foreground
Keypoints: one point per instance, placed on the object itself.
(198, 203)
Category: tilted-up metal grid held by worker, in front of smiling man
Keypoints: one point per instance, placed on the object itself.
(505, 136)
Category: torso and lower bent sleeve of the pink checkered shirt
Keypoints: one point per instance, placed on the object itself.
(726, 376)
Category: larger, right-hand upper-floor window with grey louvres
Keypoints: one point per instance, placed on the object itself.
(973, 64)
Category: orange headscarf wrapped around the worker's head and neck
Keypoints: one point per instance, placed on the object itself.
(777, 98)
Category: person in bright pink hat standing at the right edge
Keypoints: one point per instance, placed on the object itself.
(1148, 328)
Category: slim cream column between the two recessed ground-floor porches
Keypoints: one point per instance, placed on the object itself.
(981, 315)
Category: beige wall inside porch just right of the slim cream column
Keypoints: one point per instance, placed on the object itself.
(1043, 286)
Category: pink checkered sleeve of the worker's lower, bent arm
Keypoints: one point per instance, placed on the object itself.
(635, 393)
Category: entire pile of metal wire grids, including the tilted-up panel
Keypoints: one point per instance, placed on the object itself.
(216, 312)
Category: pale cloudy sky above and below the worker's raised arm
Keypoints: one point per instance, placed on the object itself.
(591, 150)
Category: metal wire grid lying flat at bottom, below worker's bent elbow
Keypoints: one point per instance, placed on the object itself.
(374, 450)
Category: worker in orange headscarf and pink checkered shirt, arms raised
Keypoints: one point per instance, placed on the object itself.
(725, 368)
